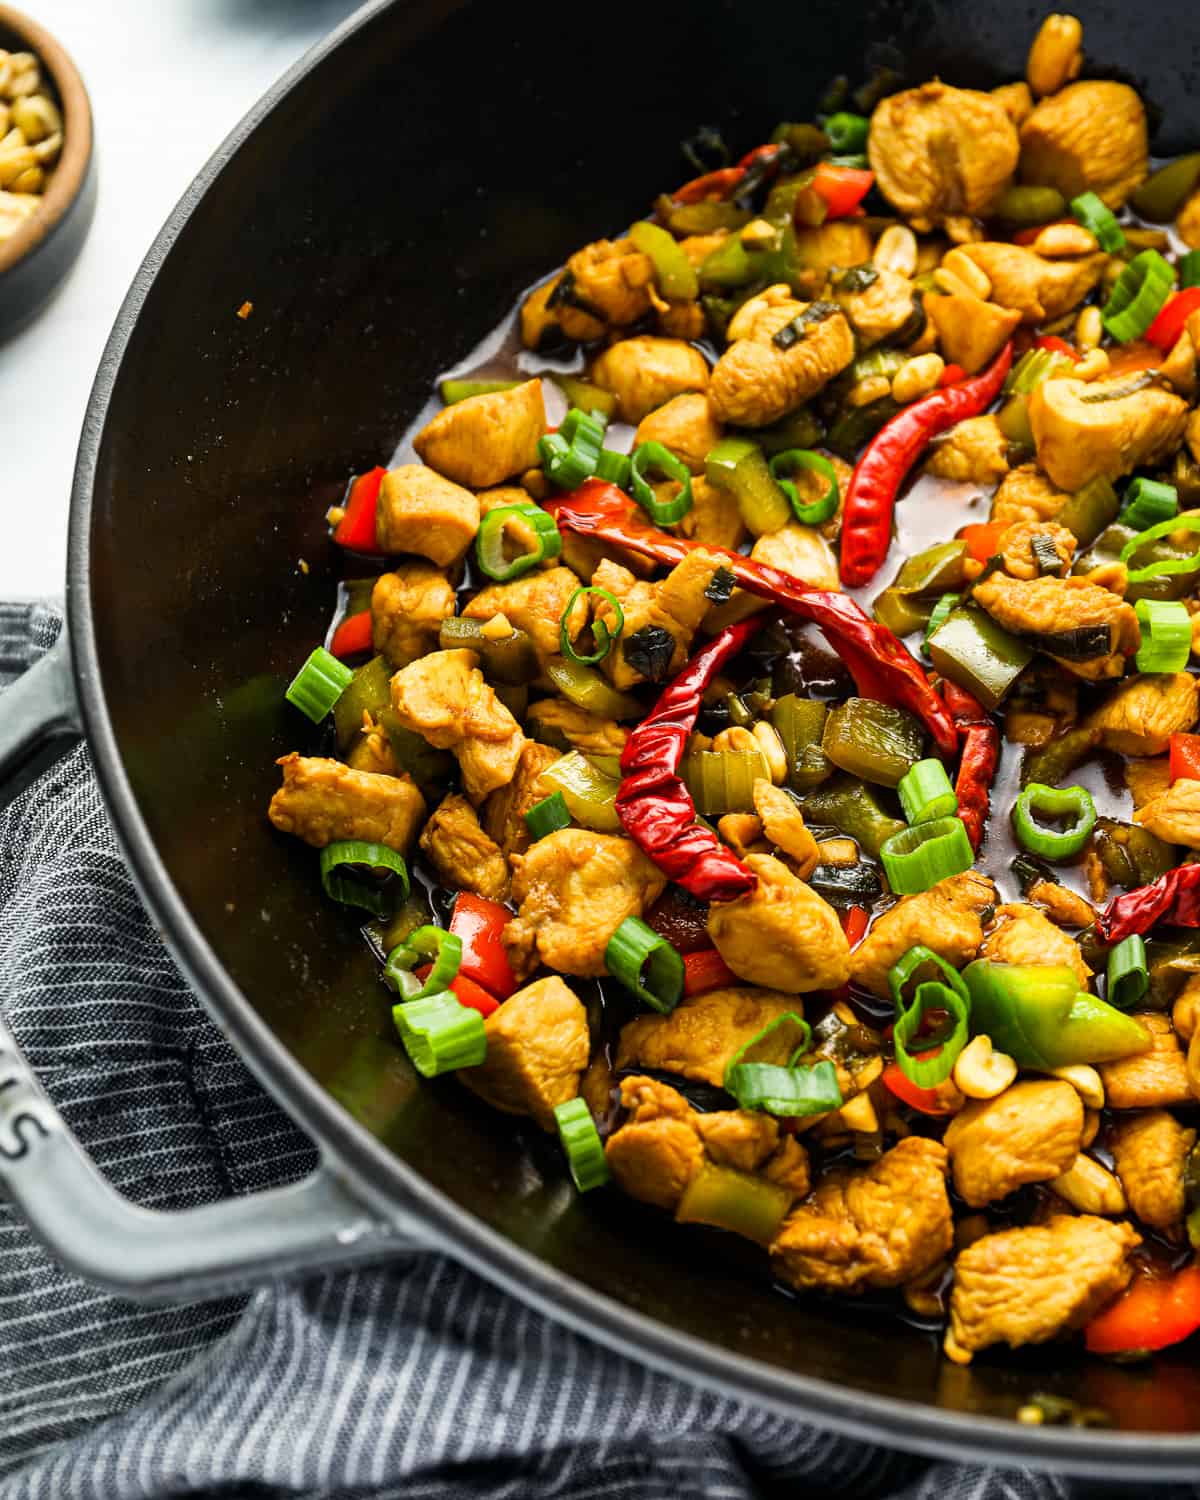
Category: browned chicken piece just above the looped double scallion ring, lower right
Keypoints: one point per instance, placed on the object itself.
(944, 919)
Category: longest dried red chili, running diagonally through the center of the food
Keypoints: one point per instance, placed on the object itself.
(881, 665)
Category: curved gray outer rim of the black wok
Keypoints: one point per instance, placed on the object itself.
(386, 1178)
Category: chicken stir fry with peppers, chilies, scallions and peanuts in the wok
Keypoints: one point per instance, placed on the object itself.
(758, 721)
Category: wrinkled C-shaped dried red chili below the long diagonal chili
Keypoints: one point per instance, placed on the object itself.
(655, 806)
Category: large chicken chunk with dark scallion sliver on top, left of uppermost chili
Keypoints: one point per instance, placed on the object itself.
(757, 382)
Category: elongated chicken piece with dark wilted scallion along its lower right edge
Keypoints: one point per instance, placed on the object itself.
(1060, 607)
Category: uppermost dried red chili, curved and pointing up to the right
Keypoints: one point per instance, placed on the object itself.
(871, 496)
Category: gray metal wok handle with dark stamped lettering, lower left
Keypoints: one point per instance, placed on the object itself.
(154, 1256)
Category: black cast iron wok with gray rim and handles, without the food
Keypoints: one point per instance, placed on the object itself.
(382, 209)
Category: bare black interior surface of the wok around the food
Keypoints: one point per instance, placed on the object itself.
(383, 217)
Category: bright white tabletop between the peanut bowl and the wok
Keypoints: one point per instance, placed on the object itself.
(169, 79)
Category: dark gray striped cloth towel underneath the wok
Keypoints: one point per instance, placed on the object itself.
(412, 1381)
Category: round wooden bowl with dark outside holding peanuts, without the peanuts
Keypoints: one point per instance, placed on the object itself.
(37, 259)
